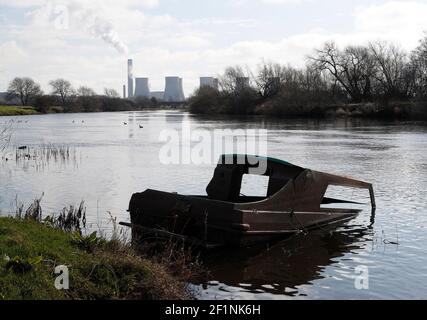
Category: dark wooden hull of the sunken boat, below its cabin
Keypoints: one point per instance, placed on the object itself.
(214, 223)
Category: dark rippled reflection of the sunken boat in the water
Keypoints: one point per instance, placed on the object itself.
(285, 266)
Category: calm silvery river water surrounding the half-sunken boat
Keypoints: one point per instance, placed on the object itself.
(377, 256)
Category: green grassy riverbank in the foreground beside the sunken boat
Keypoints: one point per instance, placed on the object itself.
(30, 251)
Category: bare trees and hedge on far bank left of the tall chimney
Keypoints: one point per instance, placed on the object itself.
(64, 98)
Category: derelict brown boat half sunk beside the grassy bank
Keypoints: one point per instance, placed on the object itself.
(294, 203)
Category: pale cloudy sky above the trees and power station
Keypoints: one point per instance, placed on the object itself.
(89, 41)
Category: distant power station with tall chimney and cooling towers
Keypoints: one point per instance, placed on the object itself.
(173, 92)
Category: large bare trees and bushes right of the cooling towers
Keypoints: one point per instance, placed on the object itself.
(379, 73)
